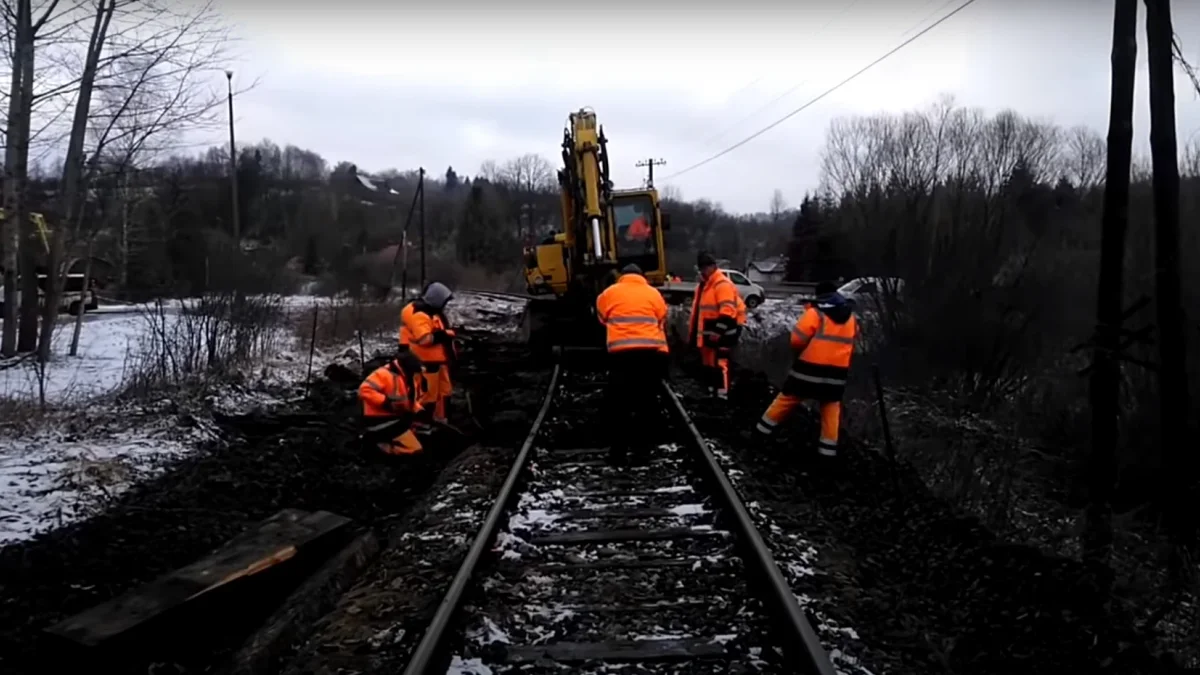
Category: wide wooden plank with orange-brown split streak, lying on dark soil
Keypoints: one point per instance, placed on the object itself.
(269, 545)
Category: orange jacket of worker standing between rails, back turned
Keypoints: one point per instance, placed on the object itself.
(634, 314)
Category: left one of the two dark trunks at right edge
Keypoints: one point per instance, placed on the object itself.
(1106, 377)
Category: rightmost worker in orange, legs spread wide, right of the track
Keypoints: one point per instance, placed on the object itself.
(824, 342)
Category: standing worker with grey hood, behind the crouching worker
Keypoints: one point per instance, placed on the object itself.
(427, 333)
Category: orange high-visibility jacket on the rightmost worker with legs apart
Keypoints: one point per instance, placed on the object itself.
(824, 339)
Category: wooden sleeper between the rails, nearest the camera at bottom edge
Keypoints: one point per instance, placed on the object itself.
(617, 650)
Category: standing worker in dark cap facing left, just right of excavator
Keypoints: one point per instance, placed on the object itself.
(713, 325)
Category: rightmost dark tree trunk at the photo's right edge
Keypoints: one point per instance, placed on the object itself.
(1173, 374)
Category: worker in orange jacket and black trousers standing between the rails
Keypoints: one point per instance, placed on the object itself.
(635, 316)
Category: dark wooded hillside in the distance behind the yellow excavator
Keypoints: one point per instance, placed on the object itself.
(169, 228)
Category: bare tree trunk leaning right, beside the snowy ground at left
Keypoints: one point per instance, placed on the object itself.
(73, 188)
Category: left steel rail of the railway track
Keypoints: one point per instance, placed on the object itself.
(435, 636)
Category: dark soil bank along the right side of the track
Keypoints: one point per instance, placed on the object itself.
(927, 589)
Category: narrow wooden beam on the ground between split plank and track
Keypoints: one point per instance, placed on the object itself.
(290, 625)
